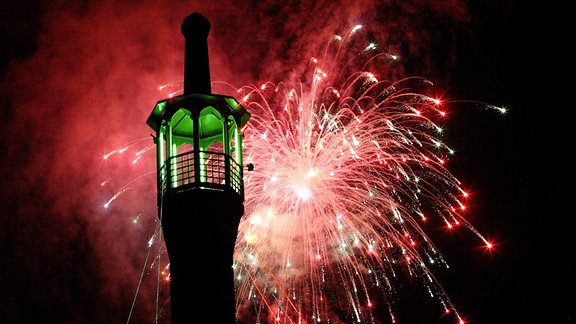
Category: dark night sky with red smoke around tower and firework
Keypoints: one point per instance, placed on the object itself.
(79, 80)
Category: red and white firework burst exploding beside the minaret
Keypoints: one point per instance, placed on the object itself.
(348, 168)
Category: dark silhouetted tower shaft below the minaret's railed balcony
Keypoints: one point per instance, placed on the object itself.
(200, 244)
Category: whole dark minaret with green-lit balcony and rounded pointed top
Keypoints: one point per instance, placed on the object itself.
(200, 186)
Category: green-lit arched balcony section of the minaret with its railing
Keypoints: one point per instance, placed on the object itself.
(199, 143)
